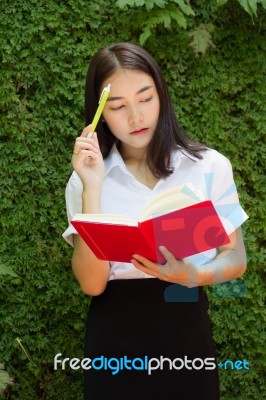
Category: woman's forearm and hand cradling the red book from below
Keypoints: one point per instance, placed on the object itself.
(230, 263)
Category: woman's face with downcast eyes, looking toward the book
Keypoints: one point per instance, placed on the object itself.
(132, 109)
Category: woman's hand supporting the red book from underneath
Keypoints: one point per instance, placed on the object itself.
(175, 271)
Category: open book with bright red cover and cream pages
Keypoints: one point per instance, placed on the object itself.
(179, 219)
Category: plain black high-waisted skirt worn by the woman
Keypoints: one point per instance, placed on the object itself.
(148, 339)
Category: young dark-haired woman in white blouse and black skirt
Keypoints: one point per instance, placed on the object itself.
(148, 333)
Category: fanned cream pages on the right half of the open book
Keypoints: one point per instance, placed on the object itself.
(173, 199)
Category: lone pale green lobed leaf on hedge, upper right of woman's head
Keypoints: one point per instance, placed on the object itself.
(201, 38)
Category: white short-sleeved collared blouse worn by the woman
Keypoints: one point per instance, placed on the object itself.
(122, 193)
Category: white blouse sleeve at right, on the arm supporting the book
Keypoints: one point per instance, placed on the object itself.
(221, 189)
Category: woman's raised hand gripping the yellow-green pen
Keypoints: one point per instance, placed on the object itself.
(87, 159)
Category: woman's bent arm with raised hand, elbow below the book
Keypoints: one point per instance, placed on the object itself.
(91, 273)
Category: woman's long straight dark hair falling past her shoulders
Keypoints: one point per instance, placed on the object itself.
(168, 134)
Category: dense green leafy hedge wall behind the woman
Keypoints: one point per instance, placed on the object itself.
(218, 85)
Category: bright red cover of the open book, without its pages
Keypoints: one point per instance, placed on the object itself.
(183, 232)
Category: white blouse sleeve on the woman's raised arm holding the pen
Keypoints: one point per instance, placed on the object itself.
(73, 196)
